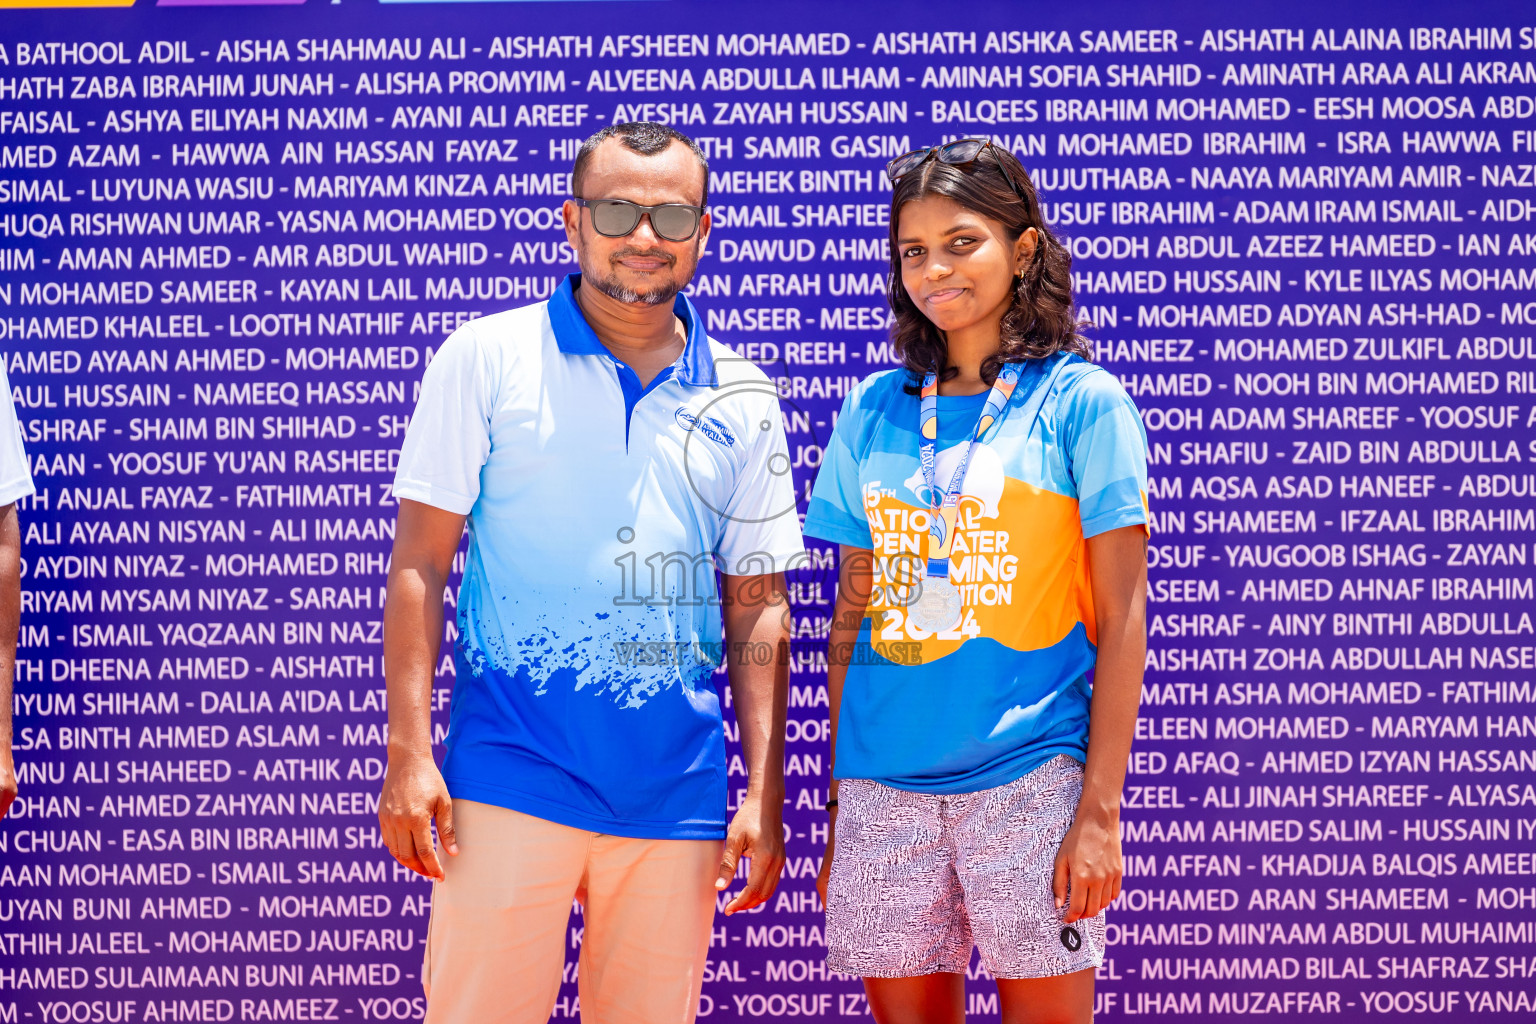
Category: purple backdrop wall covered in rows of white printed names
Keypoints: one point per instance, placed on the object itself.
(231, 239)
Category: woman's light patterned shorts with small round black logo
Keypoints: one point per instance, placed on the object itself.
(918, 879)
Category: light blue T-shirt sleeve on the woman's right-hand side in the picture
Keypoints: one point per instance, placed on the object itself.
(1105, 449)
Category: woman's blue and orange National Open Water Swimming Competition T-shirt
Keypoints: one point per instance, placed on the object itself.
(1005, 690)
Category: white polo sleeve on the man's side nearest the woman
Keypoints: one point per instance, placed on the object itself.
(763, 532)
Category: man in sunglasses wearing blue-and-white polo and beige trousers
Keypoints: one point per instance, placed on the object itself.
(609, 457)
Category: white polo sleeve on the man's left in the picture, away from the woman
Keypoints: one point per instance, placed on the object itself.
(449, 437)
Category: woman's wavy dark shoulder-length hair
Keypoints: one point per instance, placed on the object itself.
(1042, 319)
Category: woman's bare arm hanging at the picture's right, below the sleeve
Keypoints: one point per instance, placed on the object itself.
(1090, 865)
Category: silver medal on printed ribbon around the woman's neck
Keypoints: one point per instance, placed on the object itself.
(938, 607)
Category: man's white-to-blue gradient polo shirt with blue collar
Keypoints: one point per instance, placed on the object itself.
(589, 615)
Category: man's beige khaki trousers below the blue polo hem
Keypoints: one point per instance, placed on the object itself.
(498, 936)
